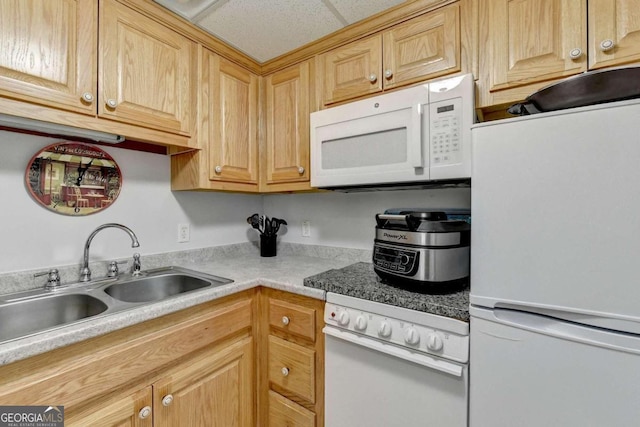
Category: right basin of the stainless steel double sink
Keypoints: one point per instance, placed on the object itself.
(156, 288)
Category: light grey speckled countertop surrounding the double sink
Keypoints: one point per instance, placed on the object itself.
(241, 263)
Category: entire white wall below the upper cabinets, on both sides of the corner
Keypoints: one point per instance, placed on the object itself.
(36, 238)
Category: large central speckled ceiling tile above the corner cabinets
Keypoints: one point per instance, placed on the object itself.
(267, 29)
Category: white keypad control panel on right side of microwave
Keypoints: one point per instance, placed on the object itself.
(445, 131)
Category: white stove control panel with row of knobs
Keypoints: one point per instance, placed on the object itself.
(405, 333)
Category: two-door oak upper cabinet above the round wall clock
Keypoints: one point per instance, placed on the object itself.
(97, 65)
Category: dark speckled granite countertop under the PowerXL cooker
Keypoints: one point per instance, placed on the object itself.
(360, 281)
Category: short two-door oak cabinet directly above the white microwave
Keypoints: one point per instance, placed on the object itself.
(422, 48)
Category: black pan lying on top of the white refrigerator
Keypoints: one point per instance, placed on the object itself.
(592, 87)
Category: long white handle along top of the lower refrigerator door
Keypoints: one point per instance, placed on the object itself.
(565, 330)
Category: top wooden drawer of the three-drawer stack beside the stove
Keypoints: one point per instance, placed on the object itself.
(293, 319)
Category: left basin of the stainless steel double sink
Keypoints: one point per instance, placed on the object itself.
(21, 318)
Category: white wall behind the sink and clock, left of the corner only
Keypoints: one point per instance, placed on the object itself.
(34, 237)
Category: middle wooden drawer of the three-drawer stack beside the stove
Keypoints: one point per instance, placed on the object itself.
(292, 367)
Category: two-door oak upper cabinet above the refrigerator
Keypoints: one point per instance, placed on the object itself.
(525, 45)
